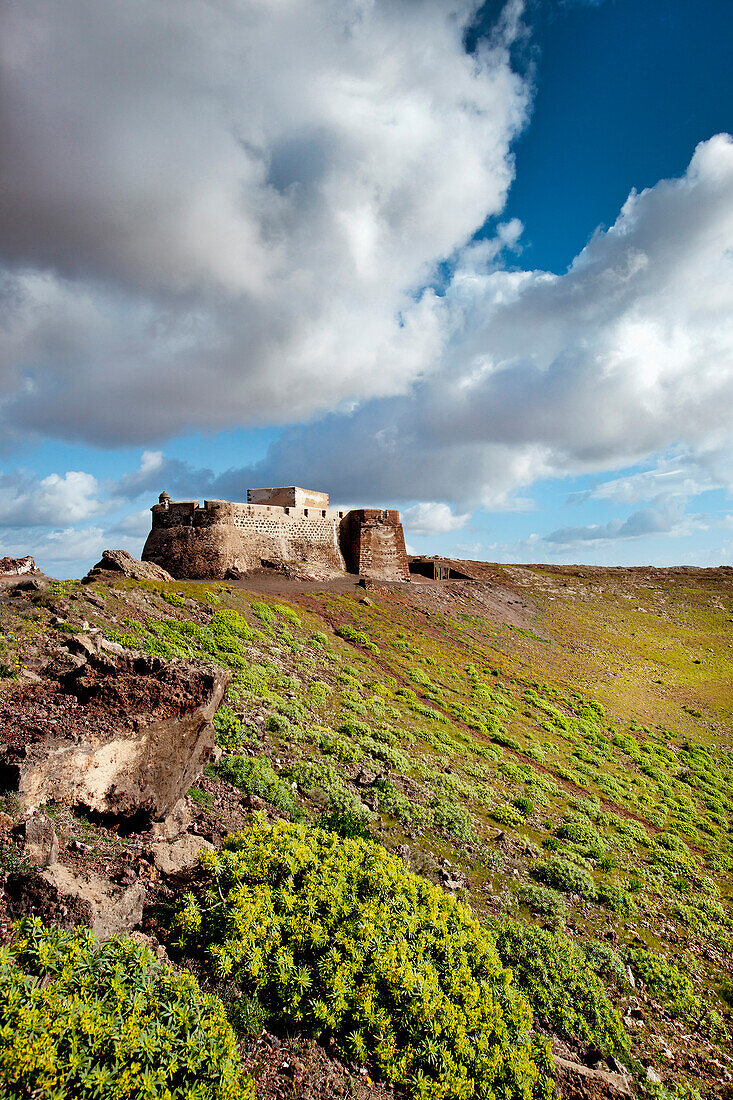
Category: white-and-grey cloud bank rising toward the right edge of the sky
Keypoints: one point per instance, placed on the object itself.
(629, 354)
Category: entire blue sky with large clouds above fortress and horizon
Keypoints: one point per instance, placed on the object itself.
(472, 261)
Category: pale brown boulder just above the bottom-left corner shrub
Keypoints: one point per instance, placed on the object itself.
(68, 898)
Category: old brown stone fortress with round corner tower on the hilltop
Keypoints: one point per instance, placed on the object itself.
(278, 529)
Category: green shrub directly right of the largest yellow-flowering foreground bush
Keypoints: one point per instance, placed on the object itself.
(560, 983)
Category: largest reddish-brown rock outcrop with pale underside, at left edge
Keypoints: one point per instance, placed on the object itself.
(121, 733)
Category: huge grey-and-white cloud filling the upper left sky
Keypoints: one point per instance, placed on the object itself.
(222, 215)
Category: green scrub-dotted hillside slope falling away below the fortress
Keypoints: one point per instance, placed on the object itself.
(554, 745)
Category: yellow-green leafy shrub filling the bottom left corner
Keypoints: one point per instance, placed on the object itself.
(82, 1020)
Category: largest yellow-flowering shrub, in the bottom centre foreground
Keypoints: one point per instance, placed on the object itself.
(336, 938)
